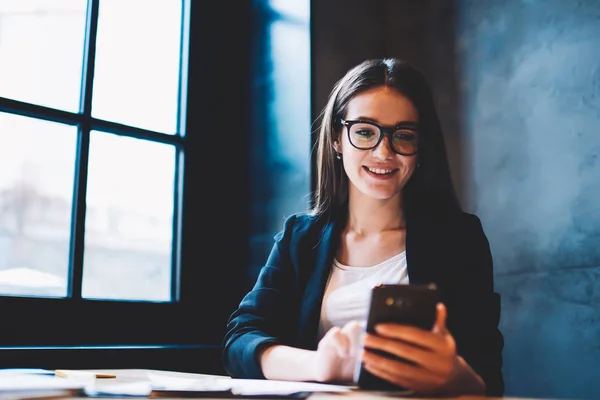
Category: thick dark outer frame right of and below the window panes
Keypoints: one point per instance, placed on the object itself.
(53, 333)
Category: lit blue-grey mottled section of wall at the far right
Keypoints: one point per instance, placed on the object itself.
(530, 85)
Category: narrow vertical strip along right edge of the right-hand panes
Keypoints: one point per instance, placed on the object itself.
(180, 153)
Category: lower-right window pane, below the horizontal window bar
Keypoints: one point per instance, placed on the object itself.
(129, 221)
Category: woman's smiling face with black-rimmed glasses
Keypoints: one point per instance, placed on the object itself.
(383, 171)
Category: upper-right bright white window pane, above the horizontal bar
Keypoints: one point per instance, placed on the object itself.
(137, 63)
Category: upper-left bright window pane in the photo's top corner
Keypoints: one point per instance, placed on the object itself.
(41, 51)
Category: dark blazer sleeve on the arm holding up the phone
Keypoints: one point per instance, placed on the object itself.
(476, 325)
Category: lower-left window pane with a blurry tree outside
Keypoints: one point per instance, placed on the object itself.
(37, 162)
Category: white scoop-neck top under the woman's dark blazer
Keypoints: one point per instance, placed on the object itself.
(348, 290)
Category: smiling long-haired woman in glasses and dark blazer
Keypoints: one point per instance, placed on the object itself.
(385, 211)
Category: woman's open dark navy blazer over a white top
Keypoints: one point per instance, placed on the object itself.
(284, 305)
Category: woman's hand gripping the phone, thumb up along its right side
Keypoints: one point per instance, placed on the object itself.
(437, 369)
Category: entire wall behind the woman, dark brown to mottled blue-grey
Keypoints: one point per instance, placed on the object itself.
(517, 84)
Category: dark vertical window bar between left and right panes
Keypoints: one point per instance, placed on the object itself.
(83, 149)
